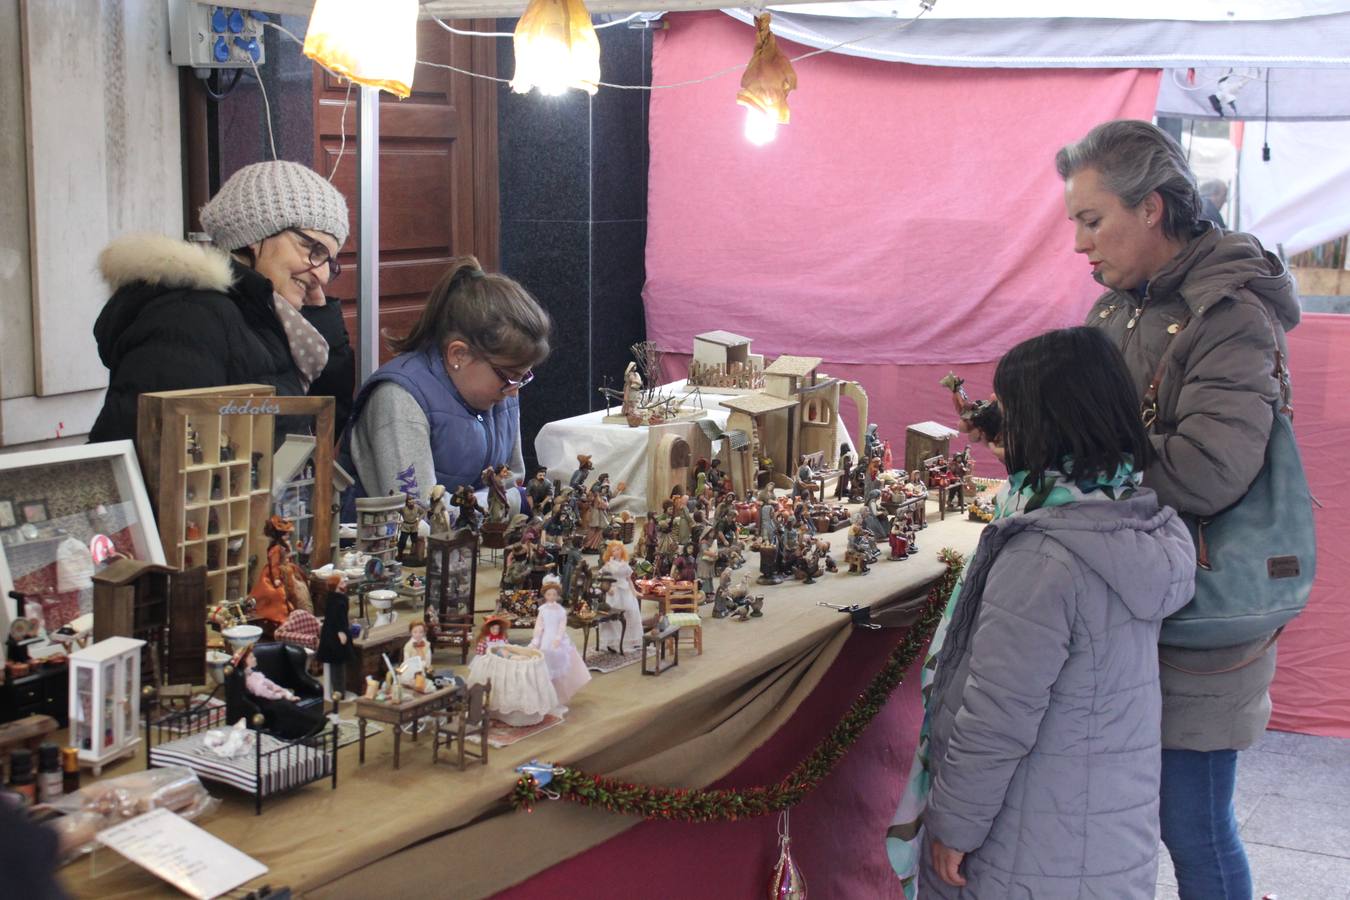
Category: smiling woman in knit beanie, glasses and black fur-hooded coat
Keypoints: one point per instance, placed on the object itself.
(248, 310)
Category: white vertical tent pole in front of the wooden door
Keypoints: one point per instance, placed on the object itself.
(368, 241)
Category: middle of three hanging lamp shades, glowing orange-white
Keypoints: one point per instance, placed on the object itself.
(557, 49)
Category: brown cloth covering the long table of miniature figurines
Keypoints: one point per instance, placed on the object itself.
(693, 725)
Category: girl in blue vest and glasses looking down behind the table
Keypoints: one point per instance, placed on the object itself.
(448, 408)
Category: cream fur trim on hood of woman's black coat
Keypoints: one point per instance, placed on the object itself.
(165, 262)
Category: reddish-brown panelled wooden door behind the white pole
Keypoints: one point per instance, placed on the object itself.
(438, 172)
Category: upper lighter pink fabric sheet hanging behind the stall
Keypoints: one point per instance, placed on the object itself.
(908, 215)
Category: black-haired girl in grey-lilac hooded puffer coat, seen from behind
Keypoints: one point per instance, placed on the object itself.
(1046, 708)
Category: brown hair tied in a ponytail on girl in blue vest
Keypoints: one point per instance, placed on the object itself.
(489, 312)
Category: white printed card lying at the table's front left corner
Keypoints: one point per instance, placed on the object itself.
(191, 859)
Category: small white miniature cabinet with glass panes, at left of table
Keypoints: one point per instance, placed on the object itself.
(106, 701)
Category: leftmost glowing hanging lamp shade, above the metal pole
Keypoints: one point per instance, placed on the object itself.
(372, 44)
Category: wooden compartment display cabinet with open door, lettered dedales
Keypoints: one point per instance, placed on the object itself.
(209, 462)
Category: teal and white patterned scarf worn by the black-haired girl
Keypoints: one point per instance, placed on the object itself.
(1017, 497)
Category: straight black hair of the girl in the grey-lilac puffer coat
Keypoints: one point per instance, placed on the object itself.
(1069, 395)
